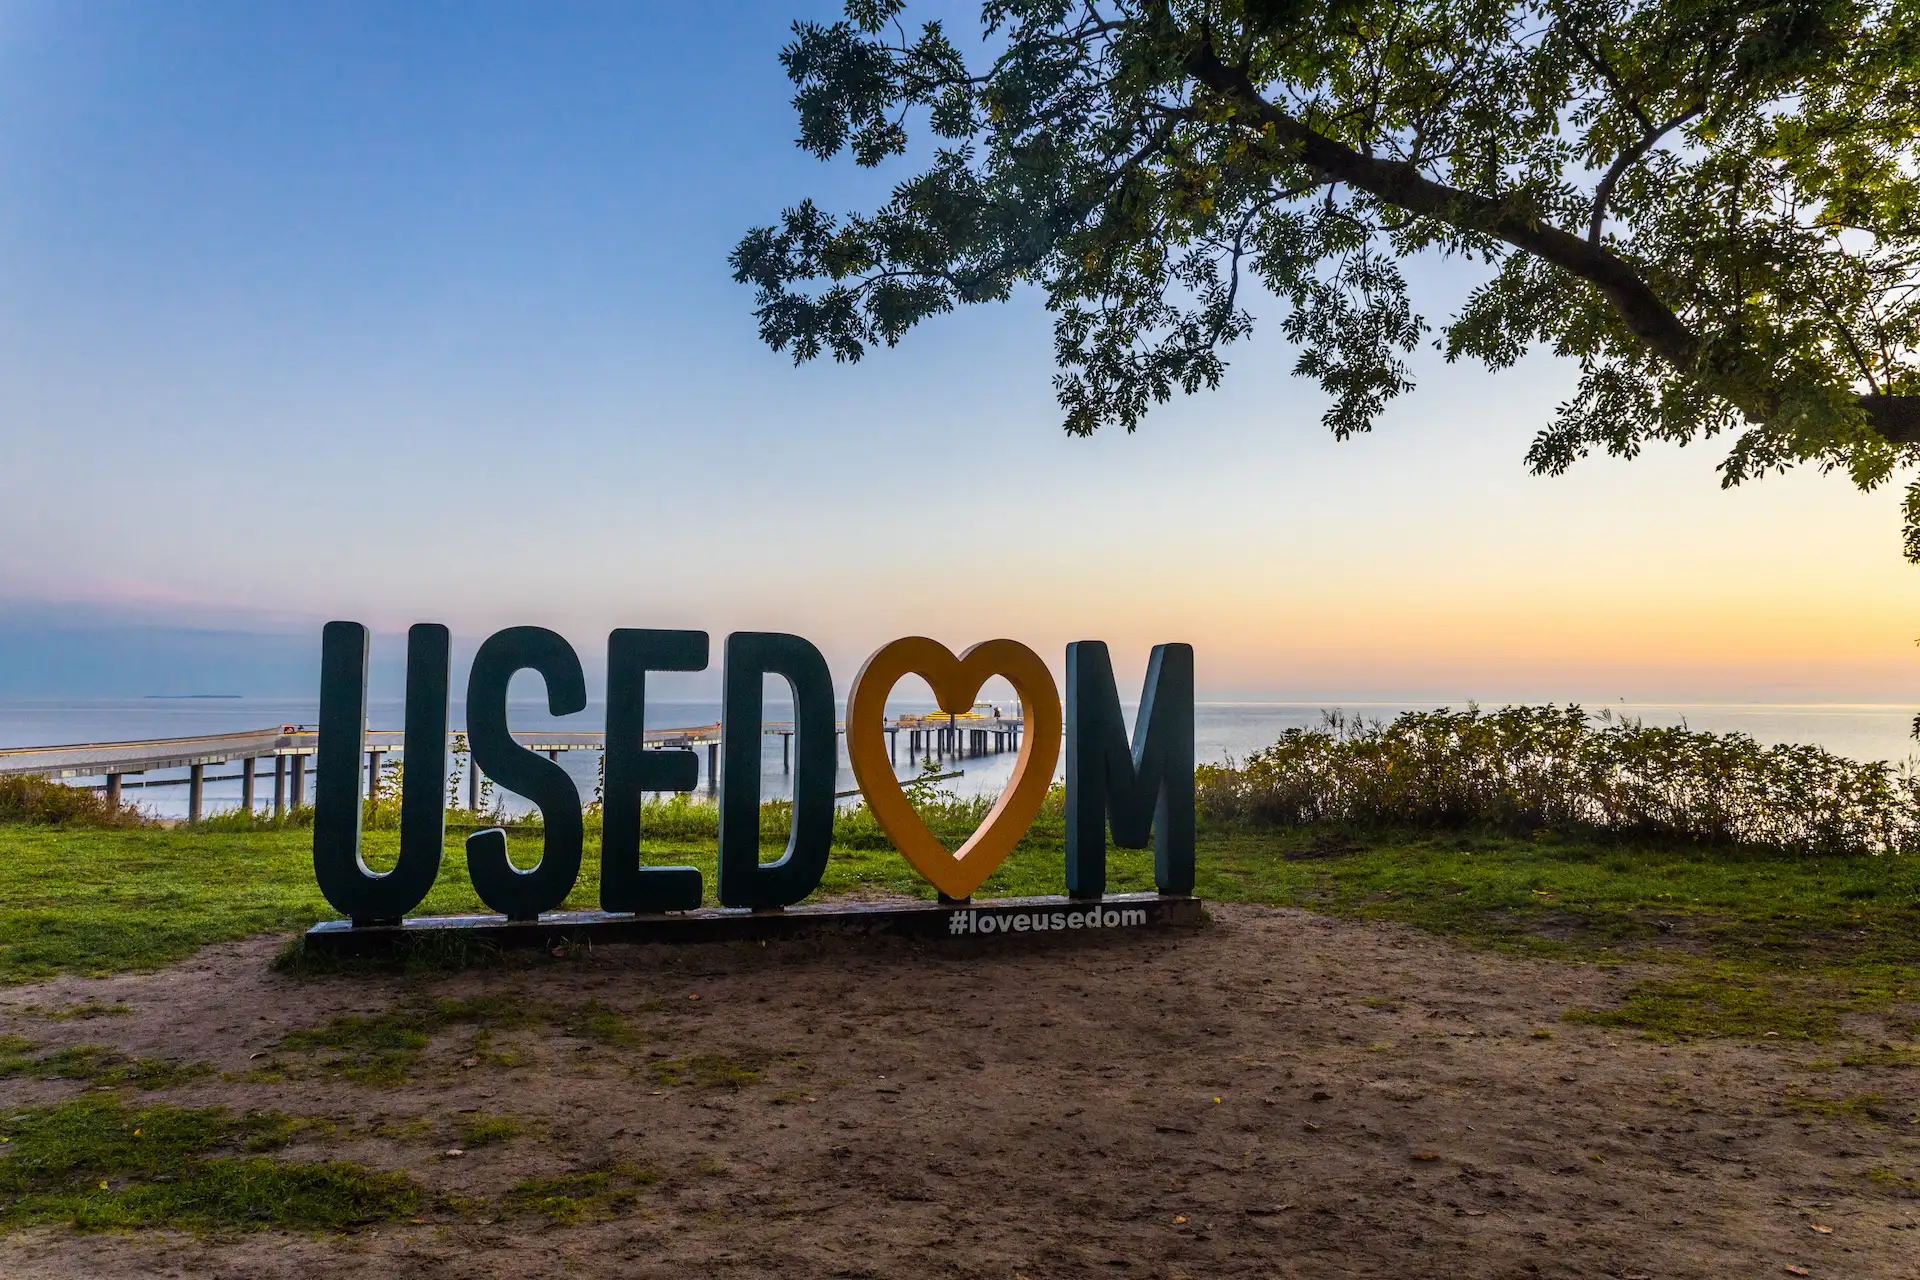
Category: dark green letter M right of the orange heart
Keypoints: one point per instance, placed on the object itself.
(1140, 790)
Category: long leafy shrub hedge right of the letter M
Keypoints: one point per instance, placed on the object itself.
(1556, 769)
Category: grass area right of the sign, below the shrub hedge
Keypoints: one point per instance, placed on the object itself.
(1758, 943)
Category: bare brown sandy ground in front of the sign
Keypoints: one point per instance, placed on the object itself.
(1278, 1095)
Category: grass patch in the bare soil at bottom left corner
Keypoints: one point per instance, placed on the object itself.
(97, 1166)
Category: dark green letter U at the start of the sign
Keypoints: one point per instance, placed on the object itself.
(345, 878)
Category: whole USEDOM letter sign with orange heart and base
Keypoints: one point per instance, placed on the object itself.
(1141, 790)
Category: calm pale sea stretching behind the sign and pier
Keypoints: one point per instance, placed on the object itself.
(1222, 730)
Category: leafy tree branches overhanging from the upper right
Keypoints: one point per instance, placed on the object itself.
(1712, 206)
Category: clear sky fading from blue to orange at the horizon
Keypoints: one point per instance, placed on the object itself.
(410, 314)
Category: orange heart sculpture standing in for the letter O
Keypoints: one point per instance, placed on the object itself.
(955, 682)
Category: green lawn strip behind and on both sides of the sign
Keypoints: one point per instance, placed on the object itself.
(1752, 937)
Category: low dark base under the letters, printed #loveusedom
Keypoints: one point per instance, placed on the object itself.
(988, 920)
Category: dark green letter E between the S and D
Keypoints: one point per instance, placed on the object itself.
(635, 770)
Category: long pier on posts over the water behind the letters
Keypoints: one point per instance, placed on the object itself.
(289, 749)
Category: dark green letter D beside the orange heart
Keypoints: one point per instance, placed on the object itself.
(744, 880)
